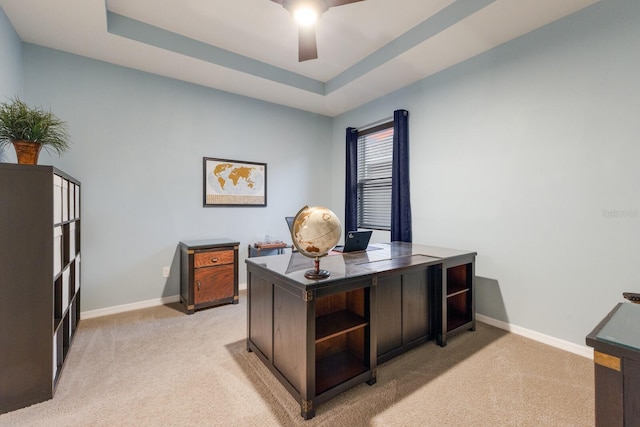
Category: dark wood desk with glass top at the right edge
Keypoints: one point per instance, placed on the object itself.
(616, 357)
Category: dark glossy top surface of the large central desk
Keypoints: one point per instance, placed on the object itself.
(377, 259)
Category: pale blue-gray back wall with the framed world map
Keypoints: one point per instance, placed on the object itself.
(138, 145)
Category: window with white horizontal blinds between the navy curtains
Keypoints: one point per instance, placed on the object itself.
(375, 160)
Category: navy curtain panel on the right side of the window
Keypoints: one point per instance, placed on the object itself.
(400, 196)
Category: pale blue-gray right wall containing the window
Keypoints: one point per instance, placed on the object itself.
(529, 155)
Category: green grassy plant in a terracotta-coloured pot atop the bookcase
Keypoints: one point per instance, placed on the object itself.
(31, 129)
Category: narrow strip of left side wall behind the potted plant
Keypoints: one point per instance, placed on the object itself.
(10, 71)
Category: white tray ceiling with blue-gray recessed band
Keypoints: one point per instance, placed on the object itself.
(249, 47)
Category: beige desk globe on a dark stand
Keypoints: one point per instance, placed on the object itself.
(315, 231)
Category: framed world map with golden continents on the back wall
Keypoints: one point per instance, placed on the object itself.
(233, 183)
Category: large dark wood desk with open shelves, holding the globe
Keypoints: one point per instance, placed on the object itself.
(322, 337)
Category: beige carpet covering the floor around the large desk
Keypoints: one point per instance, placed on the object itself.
(160, 367)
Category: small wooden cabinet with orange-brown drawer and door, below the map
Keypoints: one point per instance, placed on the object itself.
(208, 273)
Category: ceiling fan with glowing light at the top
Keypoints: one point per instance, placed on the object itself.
(306, 12)
